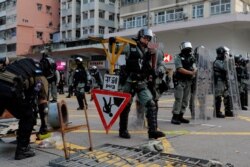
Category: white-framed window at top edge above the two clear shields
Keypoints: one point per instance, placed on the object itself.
(220, 6)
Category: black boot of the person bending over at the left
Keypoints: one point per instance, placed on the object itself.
(23, 152)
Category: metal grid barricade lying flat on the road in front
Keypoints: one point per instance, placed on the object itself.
(116, 155)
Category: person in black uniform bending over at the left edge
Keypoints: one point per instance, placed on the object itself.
(18, 95)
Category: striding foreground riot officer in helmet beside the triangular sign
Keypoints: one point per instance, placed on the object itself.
(139, 71)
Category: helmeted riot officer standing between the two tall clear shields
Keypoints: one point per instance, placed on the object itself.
(221, 82)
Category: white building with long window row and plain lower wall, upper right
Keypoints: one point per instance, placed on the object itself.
(211, 23)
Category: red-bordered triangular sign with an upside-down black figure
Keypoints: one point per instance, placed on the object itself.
(109, 105)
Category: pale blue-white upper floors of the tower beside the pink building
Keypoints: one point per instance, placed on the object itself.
(83, 18)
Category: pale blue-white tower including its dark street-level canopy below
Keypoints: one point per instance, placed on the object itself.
(80, 19)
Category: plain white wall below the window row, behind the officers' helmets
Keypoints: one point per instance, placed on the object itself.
(237, 41)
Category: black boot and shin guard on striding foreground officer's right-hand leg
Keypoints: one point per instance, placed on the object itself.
(153, 133)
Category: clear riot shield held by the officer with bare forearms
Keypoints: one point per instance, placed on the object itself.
(201, 88)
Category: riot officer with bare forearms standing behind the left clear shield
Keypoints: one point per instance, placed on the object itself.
(183, 77)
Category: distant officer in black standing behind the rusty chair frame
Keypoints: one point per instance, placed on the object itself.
(80, 80)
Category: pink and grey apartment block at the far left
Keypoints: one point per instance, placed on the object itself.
(26, 23)
